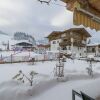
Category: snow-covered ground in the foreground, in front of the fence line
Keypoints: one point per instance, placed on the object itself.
(45, 86)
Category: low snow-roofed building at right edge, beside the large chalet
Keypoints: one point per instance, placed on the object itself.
(93, 49)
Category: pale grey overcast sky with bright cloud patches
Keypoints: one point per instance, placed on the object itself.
(34, 18)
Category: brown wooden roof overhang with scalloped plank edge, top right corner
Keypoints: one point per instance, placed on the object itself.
(86, 12)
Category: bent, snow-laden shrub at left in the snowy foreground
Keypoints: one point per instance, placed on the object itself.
(21, 77)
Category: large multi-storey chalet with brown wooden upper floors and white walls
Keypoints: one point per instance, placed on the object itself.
(73, 40)
